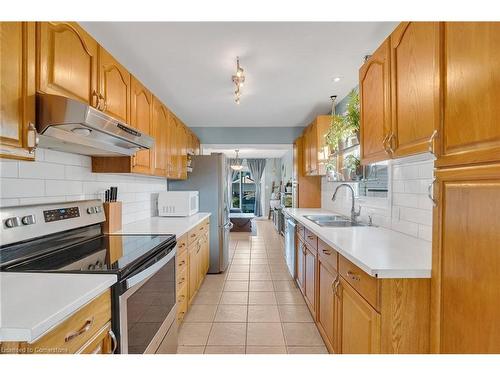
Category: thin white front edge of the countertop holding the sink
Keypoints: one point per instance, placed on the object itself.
(378, 273)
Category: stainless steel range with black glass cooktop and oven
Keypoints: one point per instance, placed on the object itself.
(67, 237)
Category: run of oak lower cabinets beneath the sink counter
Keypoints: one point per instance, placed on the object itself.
(358, 313)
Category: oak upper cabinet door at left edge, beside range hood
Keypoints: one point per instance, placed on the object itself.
(17, 89)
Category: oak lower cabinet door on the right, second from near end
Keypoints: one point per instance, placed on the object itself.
(327, 305)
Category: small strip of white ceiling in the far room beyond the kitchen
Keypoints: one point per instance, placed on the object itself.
(249, 151)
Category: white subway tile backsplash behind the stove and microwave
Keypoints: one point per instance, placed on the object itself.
(57, 177)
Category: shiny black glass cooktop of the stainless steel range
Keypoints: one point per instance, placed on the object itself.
(84, 250)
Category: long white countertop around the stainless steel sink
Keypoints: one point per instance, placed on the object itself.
(380, 252)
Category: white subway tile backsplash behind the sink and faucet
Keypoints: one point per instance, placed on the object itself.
(407, 208)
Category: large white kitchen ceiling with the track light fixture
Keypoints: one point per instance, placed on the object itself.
(289, 66)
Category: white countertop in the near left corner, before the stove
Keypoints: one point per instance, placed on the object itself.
(33, 303)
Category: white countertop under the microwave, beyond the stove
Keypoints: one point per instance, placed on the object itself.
(162, 225)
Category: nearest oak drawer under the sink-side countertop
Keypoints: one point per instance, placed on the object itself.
(364, 284)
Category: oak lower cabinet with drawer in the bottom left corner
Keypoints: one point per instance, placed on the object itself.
(87, 331)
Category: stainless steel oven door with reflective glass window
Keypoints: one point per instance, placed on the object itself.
(148, 308)
